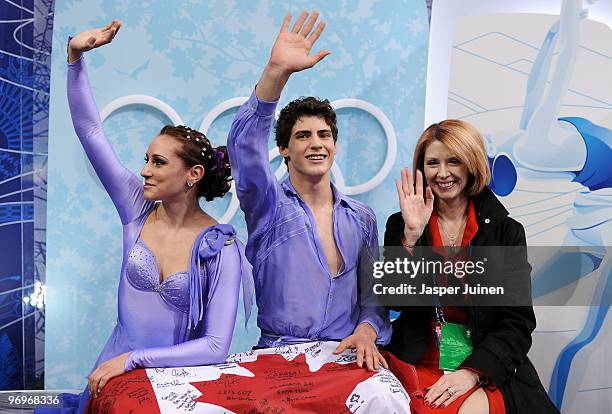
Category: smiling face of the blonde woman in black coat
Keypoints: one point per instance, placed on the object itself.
(445, 173)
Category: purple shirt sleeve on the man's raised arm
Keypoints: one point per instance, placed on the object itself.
(247, 146)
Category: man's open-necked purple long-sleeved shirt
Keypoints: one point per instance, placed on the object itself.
(297, 296)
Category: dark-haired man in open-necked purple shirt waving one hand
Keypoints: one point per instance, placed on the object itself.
(307, 240)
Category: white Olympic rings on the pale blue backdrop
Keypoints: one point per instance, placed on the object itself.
(167, 110)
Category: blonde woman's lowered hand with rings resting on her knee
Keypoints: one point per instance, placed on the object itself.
(450, 387)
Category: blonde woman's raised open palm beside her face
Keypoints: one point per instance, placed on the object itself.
(415, 206)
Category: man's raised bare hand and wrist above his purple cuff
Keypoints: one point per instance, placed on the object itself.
(290, 54)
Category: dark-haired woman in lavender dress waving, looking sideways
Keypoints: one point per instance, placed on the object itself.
(181, 270)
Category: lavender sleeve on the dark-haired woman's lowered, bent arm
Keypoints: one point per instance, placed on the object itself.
(218, 322)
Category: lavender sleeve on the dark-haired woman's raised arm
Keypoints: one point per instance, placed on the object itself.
(123, 187)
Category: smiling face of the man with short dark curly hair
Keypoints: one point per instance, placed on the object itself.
(311, 148)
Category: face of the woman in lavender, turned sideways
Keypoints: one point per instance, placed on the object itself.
(165, 174)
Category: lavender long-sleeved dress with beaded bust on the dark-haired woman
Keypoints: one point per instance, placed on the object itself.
(188, 319)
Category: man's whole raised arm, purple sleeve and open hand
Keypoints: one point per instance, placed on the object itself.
(248, 138)
